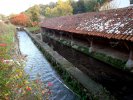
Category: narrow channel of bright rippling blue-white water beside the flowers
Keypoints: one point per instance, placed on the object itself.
(40, 66)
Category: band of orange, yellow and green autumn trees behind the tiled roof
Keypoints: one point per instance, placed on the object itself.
(36, 13)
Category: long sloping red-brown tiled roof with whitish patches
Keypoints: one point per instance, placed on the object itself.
(112, 24)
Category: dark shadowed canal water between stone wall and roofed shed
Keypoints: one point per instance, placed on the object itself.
(118, 83)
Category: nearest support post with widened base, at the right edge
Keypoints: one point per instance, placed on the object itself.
(129, 63)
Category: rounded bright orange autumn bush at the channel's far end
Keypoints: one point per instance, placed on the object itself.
(20, 19)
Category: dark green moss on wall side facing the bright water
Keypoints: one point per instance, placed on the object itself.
(68, 79)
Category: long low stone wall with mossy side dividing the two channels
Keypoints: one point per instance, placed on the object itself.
(75, 79)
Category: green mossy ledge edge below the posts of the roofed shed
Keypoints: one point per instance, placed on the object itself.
(117, 63)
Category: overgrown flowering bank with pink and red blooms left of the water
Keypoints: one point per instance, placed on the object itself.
(14, 83)
